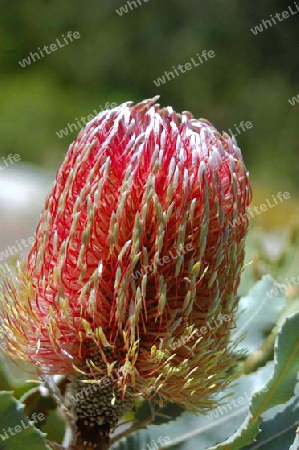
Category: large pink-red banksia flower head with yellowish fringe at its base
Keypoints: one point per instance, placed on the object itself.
(135, 253)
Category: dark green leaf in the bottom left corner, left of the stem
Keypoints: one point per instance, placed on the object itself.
(16, 432)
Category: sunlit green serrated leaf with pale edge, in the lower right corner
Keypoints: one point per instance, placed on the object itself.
(278, 390)
